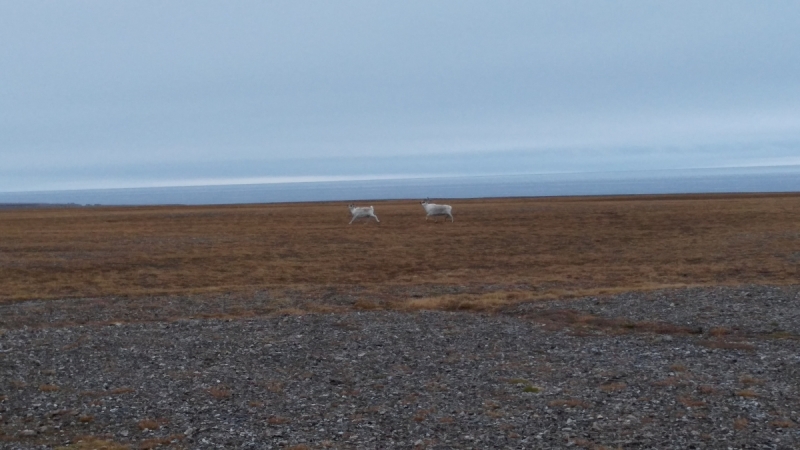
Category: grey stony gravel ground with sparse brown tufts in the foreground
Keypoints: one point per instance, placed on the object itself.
(690, 368)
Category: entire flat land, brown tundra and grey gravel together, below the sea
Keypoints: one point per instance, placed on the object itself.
(666, 322)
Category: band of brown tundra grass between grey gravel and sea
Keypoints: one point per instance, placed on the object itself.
(554, 247)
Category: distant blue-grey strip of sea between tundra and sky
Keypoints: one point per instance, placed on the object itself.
(756, 179)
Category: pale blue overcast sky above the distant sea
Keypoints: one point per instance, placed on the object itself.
(97, 94)
